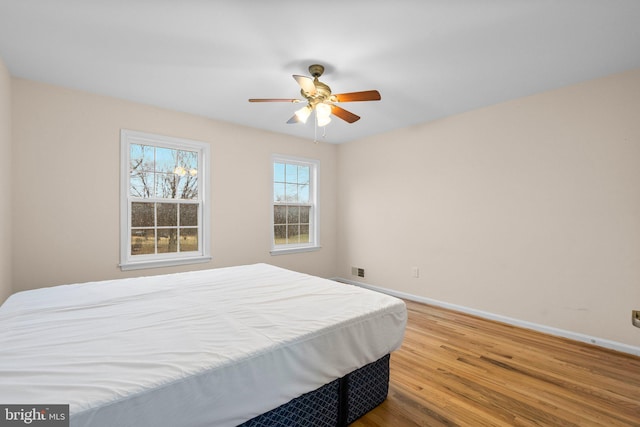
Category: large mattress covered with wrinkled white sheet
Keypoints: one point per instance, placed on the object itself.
(214, 347)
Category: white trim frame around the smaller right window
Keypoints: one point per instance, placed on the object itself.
(315, 197)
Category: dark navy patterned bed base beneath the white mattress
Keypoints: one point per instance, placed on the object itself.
(337, 403)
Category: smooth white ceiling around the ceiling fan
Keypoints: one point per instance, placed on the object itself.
(428, 58)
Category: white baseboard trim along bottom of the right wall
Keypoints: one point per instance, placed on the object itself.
(601, 342)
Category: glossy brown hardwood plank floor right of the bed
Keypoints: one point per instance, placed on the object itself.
(456, 369)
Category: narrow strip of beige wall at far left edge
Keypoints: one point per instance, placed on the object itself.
(5, 183)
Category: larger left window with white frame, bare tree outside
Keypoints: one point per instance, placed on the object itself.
(164, 213)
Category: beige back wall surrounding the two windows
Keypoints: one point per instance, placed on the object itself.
(67, 147)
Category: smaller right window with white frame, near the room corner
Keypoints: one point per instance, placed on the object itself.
(295, 205)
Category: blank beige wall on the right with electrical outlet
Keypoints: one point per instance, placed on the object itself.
(529, 209)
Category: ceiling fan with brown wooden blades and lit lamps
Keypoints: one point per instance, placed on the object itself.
(320, 99)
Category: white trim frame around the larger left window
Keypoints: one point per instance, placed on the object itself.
(134, 262)
